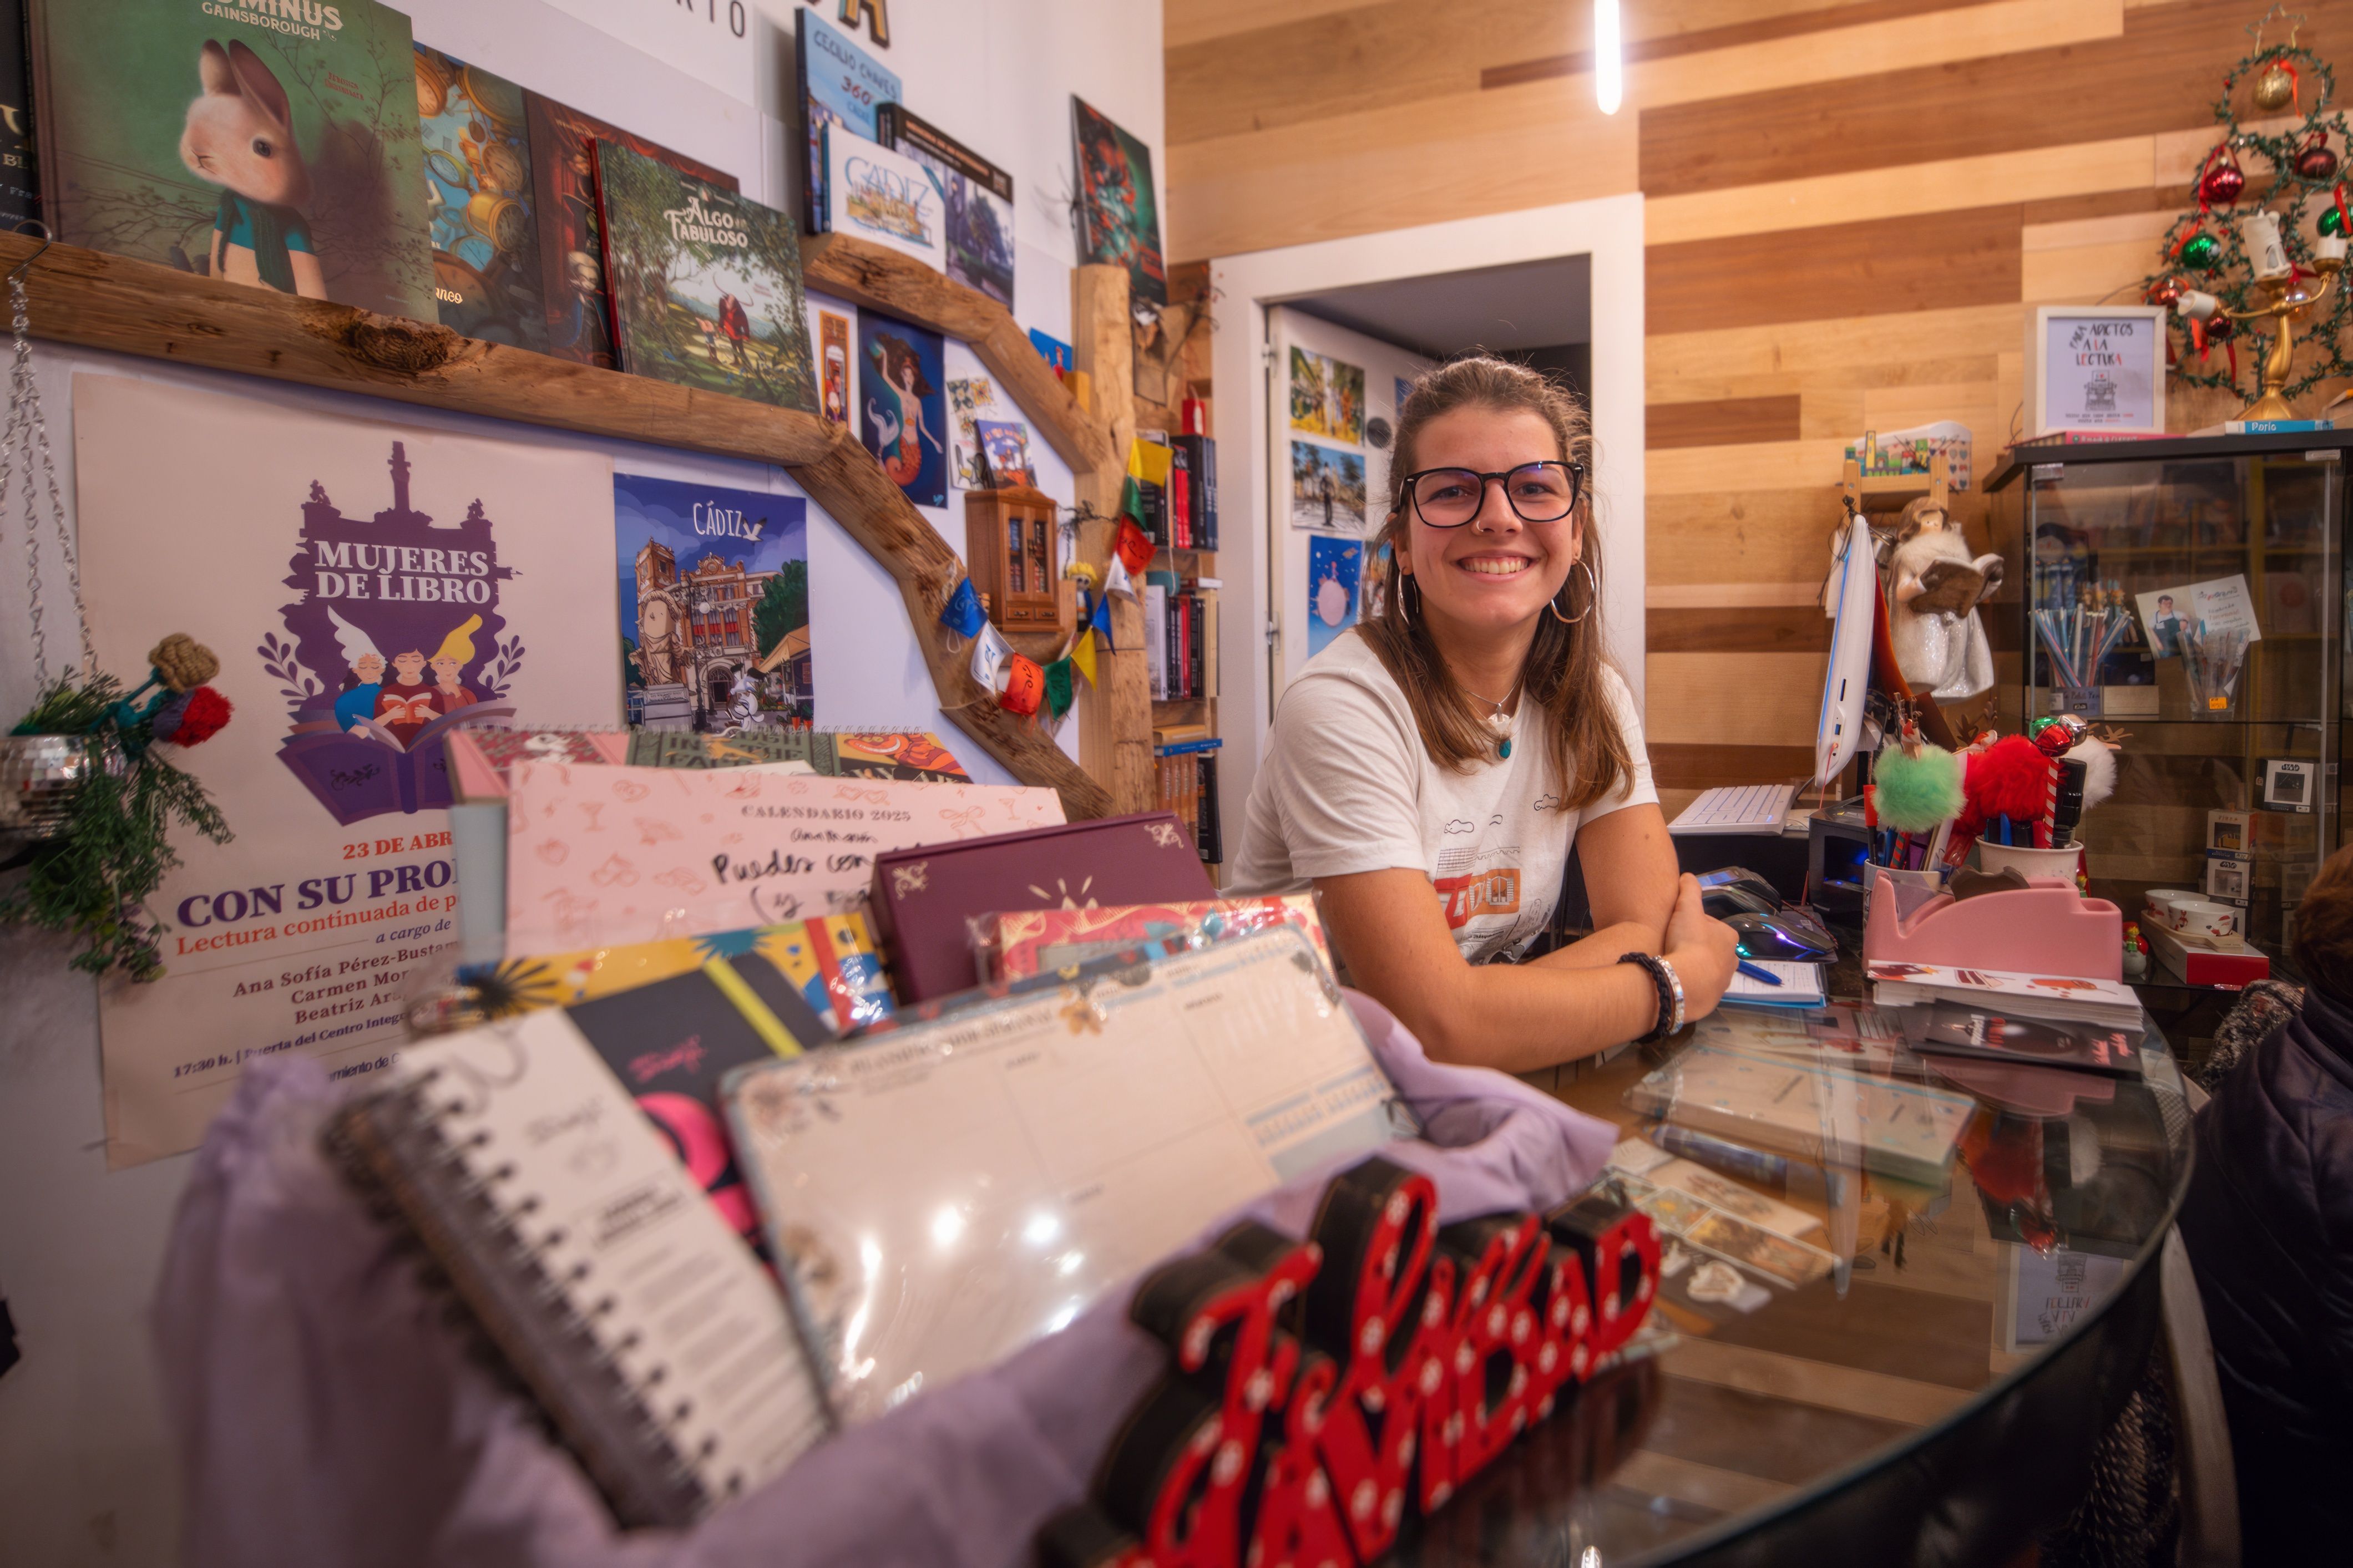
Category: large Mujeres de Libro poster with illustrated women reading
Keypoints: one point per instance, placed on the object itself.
(368, 589)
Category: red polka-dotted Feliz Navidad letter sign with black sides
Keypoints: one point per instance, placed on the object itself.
(1326, 1388)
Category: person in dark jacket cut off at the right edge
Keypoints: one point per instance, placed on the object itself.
(2269, 1226)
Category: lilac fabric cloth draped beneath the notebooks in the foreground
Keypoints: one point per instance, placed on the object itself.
(331, 1416)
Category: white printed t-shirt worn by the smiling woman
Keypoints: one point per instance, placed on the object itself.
(1349, 789)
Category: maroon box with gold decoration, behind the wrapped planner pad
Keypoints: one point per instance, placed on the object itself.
(924, 897)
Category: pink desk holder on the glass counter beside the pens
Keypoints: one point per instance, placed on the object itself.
(2041, 930)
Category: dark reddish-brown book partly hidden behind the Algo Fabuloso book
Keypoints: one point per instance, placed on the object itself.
(571, 225)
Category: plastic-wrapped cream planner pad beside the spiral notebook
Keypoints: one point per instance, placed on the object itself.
(1041, 1148)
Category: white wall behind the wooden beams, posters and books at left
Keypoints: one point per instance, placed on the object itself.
(86, 1475)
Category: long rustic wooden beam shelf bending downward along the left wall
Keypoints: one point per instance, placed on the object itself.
(133, 307)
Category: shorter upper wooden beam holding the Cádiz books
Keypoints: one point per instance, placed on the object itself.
(888, 281)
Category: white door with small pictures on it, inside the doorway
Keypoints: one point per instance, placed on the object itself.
(1333, 415)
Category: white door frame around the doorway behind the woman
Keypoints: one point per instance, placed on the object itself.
(1246, 288)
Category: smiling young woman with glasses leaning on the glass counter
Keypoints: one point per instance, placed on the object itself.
(1429, 775)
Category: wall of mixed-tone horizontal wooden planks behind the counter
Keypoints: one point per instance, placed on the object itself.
(1851, 206)
